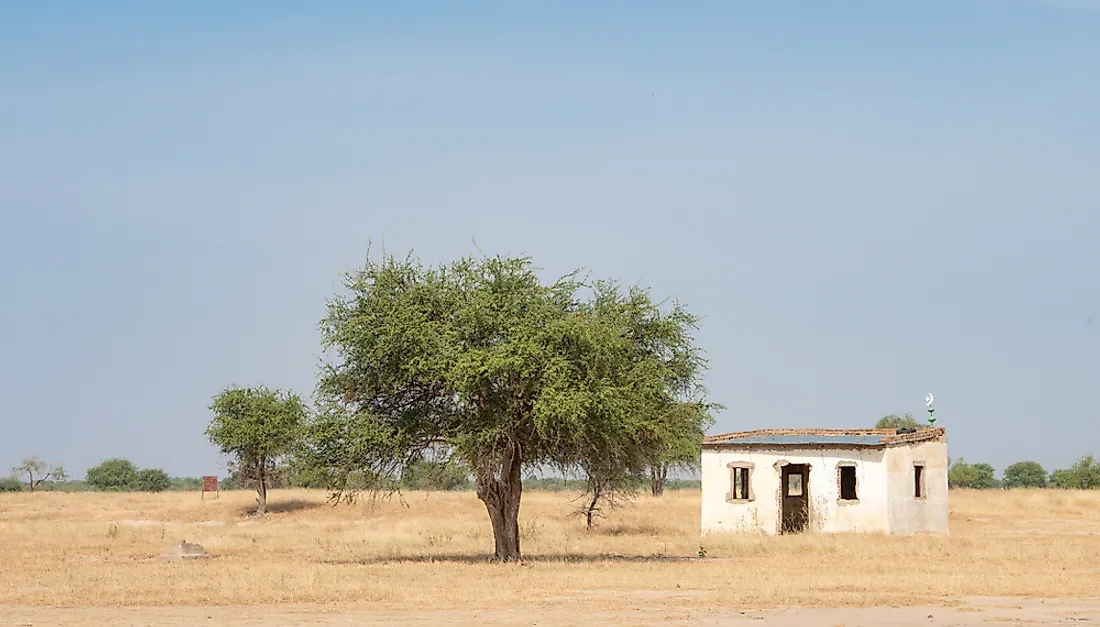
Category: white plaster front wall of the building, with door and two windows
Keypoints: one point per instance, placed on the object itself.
(827, 512)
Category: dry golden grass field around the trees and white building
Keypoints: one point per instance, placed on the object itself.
(100, 549)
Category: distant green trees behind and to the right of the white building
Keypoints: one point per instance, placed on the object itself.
(1085, 475)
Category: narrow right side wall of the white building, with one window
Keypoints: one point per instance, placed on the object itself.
(907, 513)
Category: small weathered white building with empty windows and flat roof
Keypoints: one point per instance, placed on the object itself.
(884, 481)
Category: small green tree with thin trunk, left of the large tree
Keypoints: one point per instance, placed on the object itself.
(258, 427)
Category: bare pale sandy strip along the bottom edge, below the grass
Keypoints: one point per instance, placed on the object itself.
(971, 612)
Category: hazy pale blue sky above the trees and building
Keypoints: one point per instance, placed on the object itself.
(866, 201)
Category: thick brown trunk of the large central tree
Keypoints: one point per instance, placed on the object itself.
(501, 494)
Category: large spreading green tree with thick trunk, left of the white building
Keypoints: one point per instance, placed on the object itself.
(486, 362)
